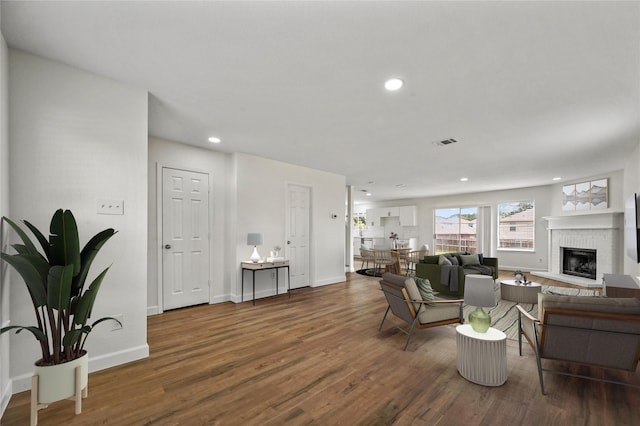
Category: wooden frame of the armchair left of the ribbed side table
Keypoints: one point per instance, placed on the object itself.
(402, 307)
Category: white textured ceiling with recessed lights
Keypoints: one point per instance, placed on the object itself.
(531, 90)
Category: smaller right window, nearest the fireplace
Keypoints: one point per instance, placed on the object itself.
(516, 225)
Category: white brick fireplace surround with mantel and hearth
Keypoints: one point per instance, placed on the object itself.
(601, 232)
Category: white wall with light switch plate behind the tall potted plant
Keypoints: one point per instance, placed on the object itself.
(76, 137)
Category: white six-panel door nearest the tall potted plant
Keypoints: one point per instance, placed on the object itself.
(185, 238)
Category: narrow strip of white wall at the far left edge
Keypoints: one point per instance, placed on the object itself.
(5, 382)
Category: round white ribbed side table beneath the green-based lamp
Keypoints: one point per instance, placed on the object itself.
(482, 357)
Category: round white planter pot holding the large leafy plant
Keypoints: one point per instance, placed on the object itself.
(58, 382)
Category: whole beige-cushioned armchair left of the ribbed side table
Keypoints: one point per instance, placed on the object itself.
(406, 303)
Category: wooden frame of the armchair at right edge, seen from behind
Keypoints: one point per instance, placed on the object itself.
(540, 331)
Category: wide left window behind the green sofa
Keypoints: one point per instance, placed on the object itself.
(455, 230)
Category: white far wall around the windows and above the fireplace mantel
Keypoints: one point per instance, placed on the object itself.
(548, 201)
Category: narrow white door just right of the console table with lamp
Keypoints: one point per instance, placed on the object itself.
(297, 228)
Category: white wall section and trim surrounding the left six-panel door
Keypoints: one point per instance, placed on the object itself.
(185, 157)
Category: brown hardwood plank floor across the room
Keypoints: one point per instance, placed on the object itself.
(317, 357)
